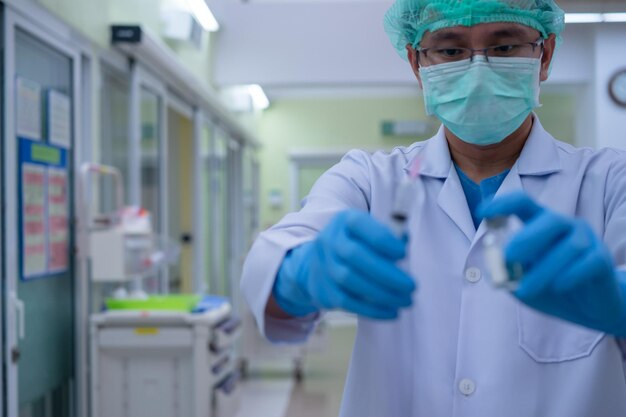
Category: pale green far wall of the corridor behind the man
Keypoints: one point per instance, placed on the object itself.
(343, 124)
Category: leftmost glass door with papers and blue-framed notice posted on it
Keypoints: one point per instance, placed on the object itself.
(41, 94)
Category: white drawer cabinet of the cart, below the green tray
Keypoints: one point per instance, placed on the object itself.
(164, 363)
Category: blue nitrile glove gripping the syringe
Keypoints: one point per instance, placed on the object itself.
(349, 266)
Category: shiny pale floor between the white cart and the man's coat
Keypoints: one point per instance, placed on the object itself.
(320, 392)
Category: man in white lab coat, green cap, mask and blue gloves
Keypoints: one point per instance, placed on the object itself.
(435, 338)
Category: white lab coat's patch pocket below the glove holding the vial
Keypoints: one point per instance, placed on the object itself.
(548, 339)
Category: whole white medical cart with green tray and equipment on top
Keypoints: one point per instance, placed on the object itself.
(166, 355)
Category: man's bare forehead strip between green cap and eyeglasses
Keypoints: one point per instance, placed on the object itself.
(485, 30)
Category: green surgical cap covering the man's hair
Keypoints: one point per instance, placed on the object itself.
(407, 20)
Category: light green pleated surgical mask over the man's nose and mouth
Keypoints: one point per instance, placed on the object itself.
(482, 102)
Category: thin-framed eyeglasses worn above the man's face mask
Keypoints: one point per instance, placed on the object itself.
(437, 55)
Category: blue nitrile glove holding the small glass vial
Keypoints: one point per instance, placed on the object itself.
(568, 271)
